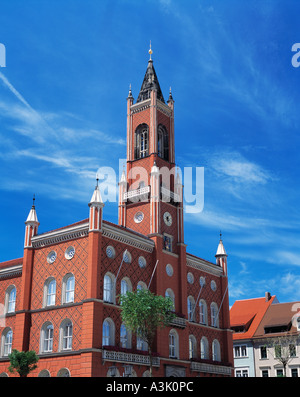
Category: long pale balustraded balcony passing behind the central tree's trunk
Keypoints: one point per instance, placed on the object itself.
(127, 357)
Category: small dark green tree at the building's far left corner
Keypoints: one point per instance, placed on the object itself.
(22, 362)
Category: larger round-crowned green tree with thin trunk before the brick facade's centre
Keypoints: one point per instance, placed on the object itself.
(144, 312)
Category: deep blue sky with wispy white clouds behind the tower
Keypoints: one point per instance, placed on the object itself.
(63, 94)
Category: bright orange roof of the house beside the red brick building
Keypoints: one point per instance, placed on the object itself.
(247, 314)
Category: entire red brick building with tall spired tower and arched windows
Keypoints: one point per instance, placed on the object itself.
(61, 298)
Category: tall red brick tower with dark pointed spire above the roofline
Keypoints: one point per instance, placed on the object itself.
(150, 192)
